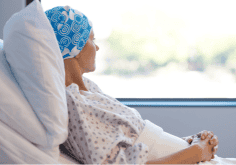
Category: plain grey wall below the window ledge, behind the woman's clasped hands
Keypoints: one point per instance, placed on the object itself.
(185, 121)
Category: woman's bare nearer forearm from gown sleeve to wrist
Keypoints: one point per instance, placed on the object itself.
(190, 155)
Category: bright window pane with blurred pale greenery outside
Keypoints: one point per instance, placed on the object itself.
(162, 48)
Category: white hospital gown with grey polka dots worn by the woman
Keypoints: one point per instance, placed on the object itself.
(101, 129)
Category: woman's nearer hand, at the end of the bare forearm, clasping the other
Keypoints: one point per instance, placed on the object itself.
(205, 147)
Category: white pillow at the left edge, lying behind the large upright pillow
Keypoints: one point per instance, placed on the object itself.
(15, 111)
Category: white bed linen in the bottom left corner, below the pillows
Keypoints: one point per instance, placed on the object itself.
(15, 149)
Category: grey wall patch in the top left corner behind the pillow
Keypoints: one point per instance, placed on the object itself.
(7, 9)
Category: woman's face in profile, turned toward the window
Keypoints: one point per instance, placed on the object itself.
(86, 58)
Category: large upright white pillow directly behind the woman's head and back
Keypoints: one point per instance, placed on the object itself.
(36, 62)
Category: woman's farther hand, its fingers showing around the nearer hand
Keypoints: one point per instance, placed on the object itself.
(203, 135)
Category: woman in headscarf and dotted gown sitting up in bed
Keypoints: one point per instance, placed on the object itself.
(101, 129)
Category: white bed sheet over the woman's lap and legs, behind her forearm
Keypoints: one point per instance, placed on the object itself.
(161, 144)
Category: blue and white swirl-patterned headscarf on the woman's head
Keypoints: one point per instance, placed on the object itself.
(72, 29)
